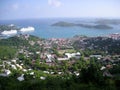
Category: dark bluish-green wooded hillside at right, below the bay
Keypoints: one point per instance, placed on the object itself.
(100, 45)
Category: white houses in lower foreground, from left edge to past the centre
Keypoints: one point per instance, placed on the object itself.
(6, 68)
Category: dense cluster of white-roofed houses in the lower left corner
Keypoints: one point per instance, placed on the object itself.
(7, 66)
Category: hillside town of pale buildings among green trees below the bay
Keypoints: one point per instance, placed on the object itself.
(27, 57)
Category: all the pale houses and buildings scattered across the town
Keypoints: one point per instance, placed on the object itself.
(48, 56)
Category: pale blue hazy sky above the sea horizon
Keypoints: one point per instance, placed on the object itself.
(30, 9)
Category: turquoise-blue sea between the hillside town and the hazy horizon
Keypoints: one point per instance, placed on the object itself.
(44, 29)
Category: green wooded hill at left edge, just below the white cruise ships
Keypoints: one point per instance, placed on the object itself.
(10, 46)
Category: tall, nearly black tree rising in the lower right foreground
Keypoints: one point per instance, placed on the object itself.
(92, 73)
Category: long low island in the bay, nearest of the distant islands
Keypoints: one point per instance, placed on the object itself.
(96, 26)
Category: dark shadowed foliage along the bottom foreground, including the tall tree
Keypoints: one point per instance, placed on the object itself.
(91, 78)
